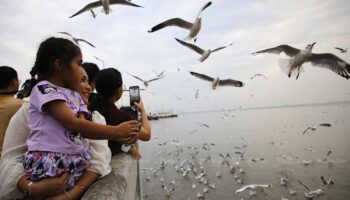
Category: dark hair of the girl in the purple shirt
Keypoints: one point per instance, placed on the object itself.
(50, 50)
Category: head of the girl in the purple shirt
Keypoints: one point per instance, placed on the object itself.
(60, 59)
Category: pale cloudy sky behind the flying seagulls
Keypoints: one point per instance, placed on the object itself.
(122, 41)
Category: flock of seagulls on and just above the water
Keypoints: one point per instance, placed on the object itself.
(195, 166)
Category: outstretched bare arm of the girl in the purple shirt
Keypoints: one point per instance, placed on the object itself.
(87, 129)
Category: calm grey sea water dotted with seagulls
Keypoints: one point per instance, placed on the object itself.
(268, 134)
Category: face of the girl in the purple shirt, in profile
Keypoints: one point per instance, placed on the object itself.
(73, 73)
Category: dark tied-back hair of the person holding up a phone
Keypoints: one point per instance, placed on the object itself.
(107, 82)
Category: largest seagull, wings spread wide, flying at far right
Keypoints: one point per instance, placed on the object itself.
(299, 57)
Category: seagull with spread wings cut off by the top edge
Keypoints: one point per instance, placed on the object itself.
(105, 4)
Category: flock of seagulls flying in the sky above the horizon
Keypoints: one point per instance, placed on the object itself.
(291, 67)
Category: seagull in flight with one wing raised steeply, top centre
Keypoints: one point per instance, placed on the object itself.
(194, 27)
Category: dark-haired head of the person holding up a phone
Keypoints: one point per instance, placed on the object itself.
(109, 84)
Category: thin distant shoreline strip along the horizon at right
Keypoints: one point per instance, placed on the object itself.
(270, 107)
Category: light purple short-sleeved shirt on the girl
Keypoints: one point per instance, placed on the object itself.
(46, 133)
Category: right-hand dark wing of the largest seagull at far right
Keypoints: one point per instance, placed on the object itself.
(332, 62)
